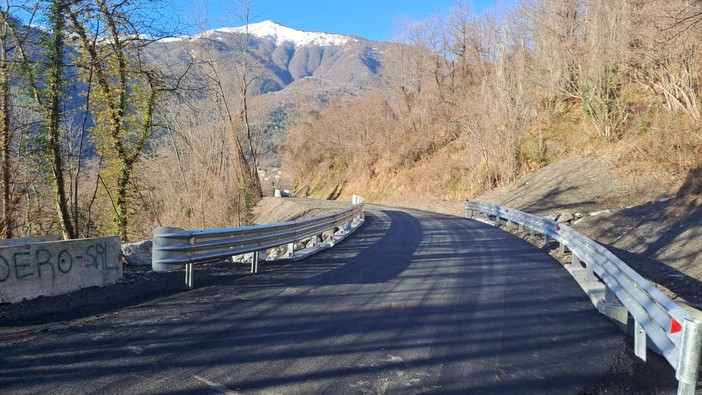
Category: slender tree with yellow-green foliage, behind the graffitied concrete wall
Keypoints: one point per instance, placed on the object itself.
(126, 92)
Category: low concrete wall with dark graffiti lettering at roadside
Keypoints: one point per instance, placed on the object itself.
(58, 267)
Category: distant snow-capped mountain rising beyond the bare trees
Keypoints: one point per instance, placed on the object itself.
(285, 56)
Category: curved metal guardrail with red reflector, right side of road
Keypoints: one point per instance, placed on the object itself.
(674, 332)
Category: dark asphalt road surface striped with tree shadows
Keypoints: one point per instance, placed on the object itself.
(411, 303)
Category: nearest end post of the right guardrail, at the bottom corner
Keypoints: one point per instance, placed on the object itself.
(689, 360)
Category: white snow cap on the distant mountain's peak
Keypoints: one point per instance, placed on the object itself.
(279, 33)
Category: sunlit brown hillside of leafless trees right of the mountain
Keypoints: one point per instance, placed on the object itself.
(471, 102)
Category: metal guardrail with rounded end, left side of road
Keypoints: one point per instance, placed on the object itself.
(175, 247)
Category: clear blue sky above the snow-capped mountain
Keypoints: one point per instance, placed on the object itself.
(372, 19)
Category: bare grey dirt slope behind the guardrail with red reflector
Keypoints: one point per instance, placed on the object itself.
(653, 224)
